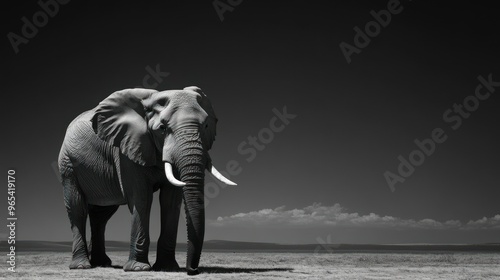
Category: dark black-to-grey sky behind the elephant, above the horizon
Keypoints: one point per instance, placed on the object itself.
(326, 167)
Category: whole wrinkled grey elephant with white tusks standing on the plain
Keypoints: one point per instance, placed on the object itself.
(134, 143)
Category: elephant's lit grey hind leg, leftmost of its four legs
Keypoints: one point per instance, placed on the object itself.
(77, 213)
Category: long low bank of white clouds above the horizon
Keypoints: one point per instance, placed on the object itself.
(319, 215)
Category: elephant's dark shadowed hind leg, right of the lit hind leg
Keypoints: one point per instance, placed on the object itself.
(99, 217)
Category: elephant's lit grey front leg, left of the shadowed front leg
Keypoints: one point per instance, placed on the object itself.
(139, 239)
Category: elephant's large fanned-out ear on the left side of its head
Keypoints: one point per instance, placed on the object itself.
(120, 120)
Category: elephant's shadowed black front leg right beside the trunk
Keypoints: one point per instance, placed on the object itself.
(170, 203)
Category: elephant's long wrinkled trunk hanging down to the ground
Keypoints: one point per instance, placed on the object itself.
(190, 162)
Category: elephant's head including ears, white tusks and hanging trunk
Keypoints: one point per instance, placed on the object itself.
(174, 128)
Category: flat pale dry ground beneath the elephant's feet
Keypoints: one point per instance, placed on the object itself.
(229, 265)
